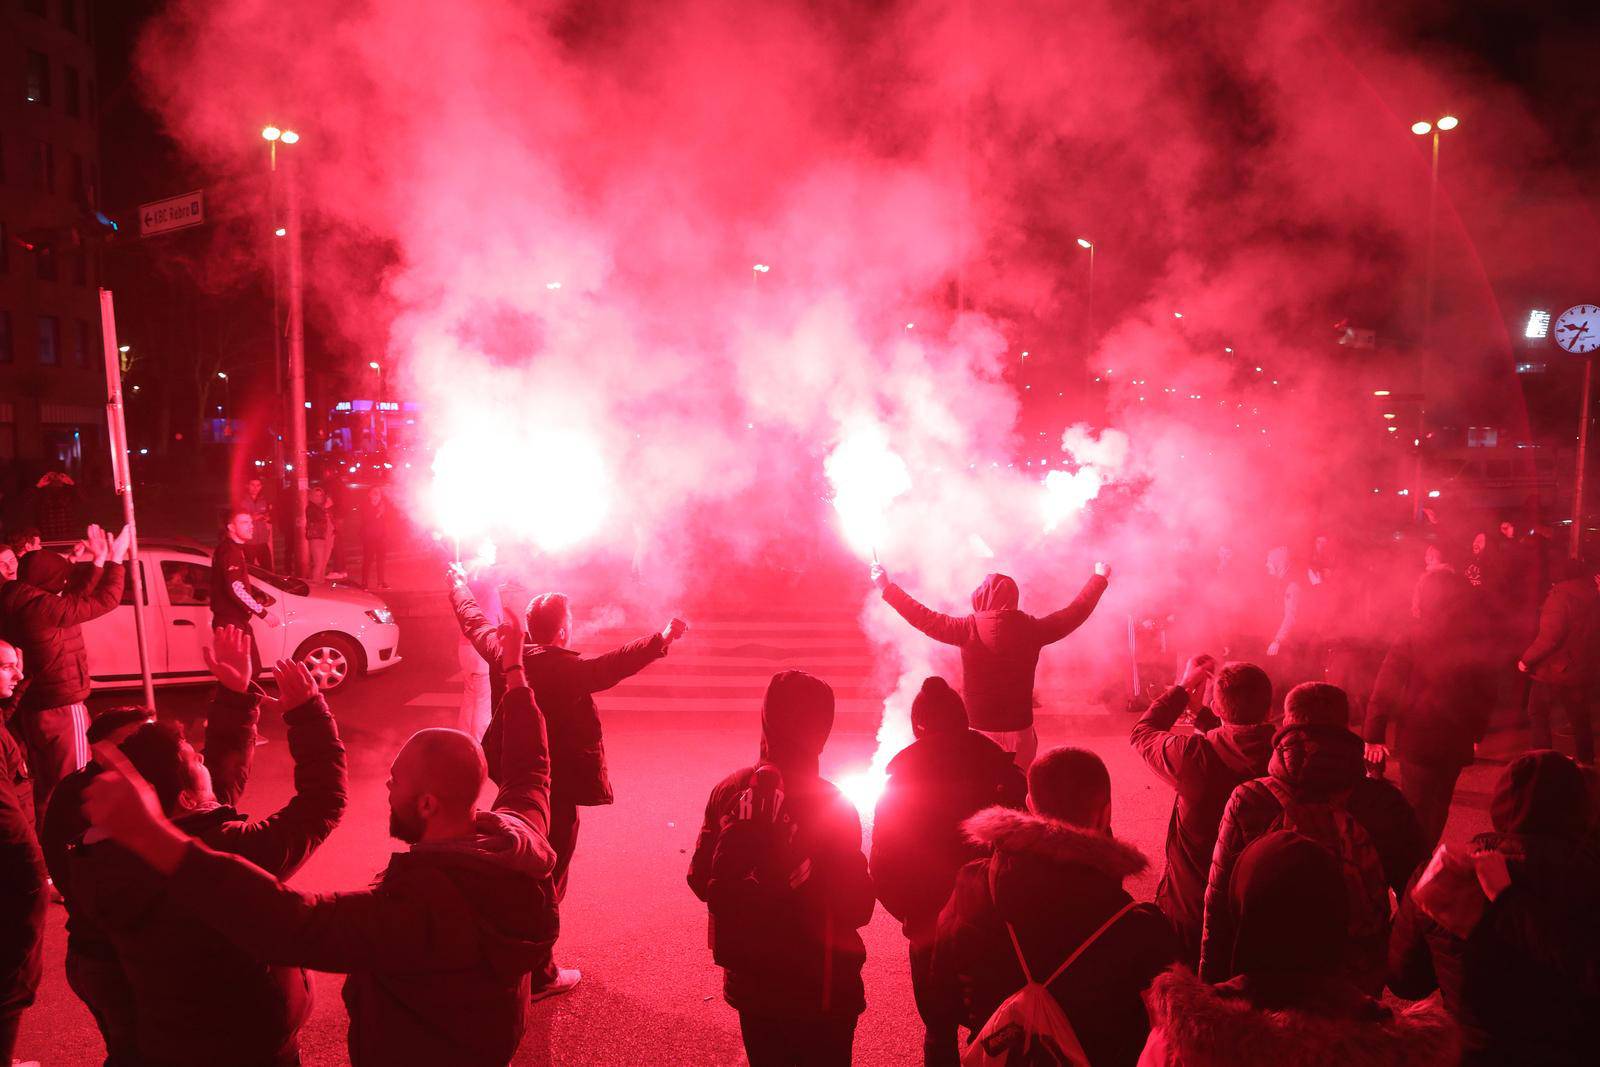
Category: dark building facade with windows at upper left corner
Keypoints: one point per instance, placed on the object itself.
(52, 370)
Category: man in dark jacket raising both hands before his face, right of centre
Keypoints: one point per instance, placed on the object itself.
(1202, 767)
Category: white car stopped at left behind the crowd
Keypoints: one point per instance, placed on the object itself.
(338, 634)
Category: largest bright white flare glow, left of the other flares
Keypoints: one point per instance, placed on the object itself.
(542, 486)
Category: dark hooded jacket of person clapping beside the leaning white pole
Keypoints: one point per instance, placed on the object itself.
(42, 617)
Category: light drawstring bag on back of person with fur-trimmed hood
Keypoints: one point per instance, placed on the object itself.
(1030, 1029)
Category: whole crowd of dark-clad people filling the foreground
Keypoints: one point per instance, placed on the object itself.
(1305, 911)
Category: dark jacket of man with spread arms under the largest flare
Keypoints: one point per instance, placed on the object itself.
(564, 684)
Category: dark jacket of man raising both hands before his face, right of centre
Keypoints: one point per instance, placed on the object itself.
(1204, 769)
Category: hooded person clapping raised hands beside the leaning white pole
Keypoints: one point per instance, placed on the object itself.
(42, 613)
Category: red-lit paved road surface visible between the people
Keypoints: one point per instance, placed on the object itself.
(650, 994)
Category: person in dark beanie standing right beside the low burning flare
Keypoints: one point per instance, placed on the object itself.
(940, 780)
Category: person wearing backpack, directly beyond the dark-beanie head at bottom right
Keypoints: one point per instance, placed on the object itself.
(1318, 786)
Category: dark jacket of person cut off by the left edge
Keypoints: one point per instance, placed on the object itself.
(23, 897)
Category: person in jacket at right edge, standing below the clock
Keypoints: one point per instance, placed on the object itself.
(1566, 663)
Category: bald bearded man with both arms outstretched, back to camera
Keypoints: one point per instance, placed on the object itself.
(441, 951)
